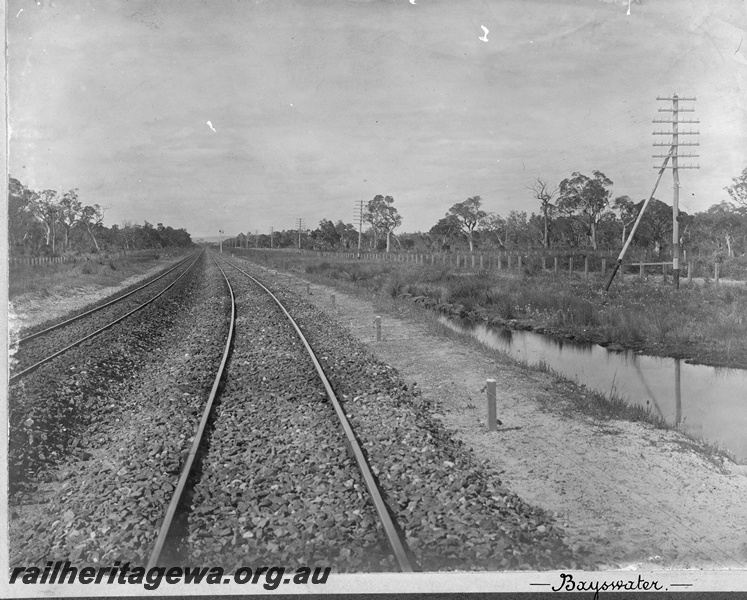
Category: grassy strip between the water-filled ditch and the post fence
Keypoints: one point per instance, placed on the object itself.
(706, 324)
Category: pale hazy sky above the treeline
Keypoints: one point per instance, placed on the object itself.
(247, 115)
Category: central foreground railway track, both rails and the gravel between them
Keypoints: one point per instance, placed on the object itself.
(260, 531)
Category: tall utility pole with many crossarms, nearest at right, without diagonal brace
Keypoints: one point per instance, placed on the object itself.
(675, 121)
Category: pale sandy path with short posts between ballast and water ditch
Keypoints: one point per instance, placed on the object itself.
(630, 495)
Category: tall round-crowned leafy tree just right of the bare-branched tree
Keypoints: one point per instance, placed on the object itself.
(585, 199)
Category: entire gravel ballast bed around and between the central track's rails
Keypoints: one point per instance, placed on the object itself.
(274, 483)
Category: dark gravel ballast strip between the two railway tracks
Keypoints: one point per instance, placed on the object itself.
(130, 405)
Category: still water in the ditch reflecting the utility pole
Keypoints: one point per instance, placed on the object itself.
(705, 401)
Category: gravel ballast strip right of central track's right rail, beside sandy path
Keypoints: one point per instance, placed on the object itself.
(454, 513)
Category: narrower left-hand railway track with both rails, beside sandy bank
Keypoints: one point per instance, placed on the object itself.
(40, 347)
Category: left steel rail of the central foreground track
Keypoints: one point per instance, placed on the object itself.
(186, 470)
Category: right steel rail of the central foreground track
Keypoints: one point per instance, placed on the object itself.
(379, 504)
